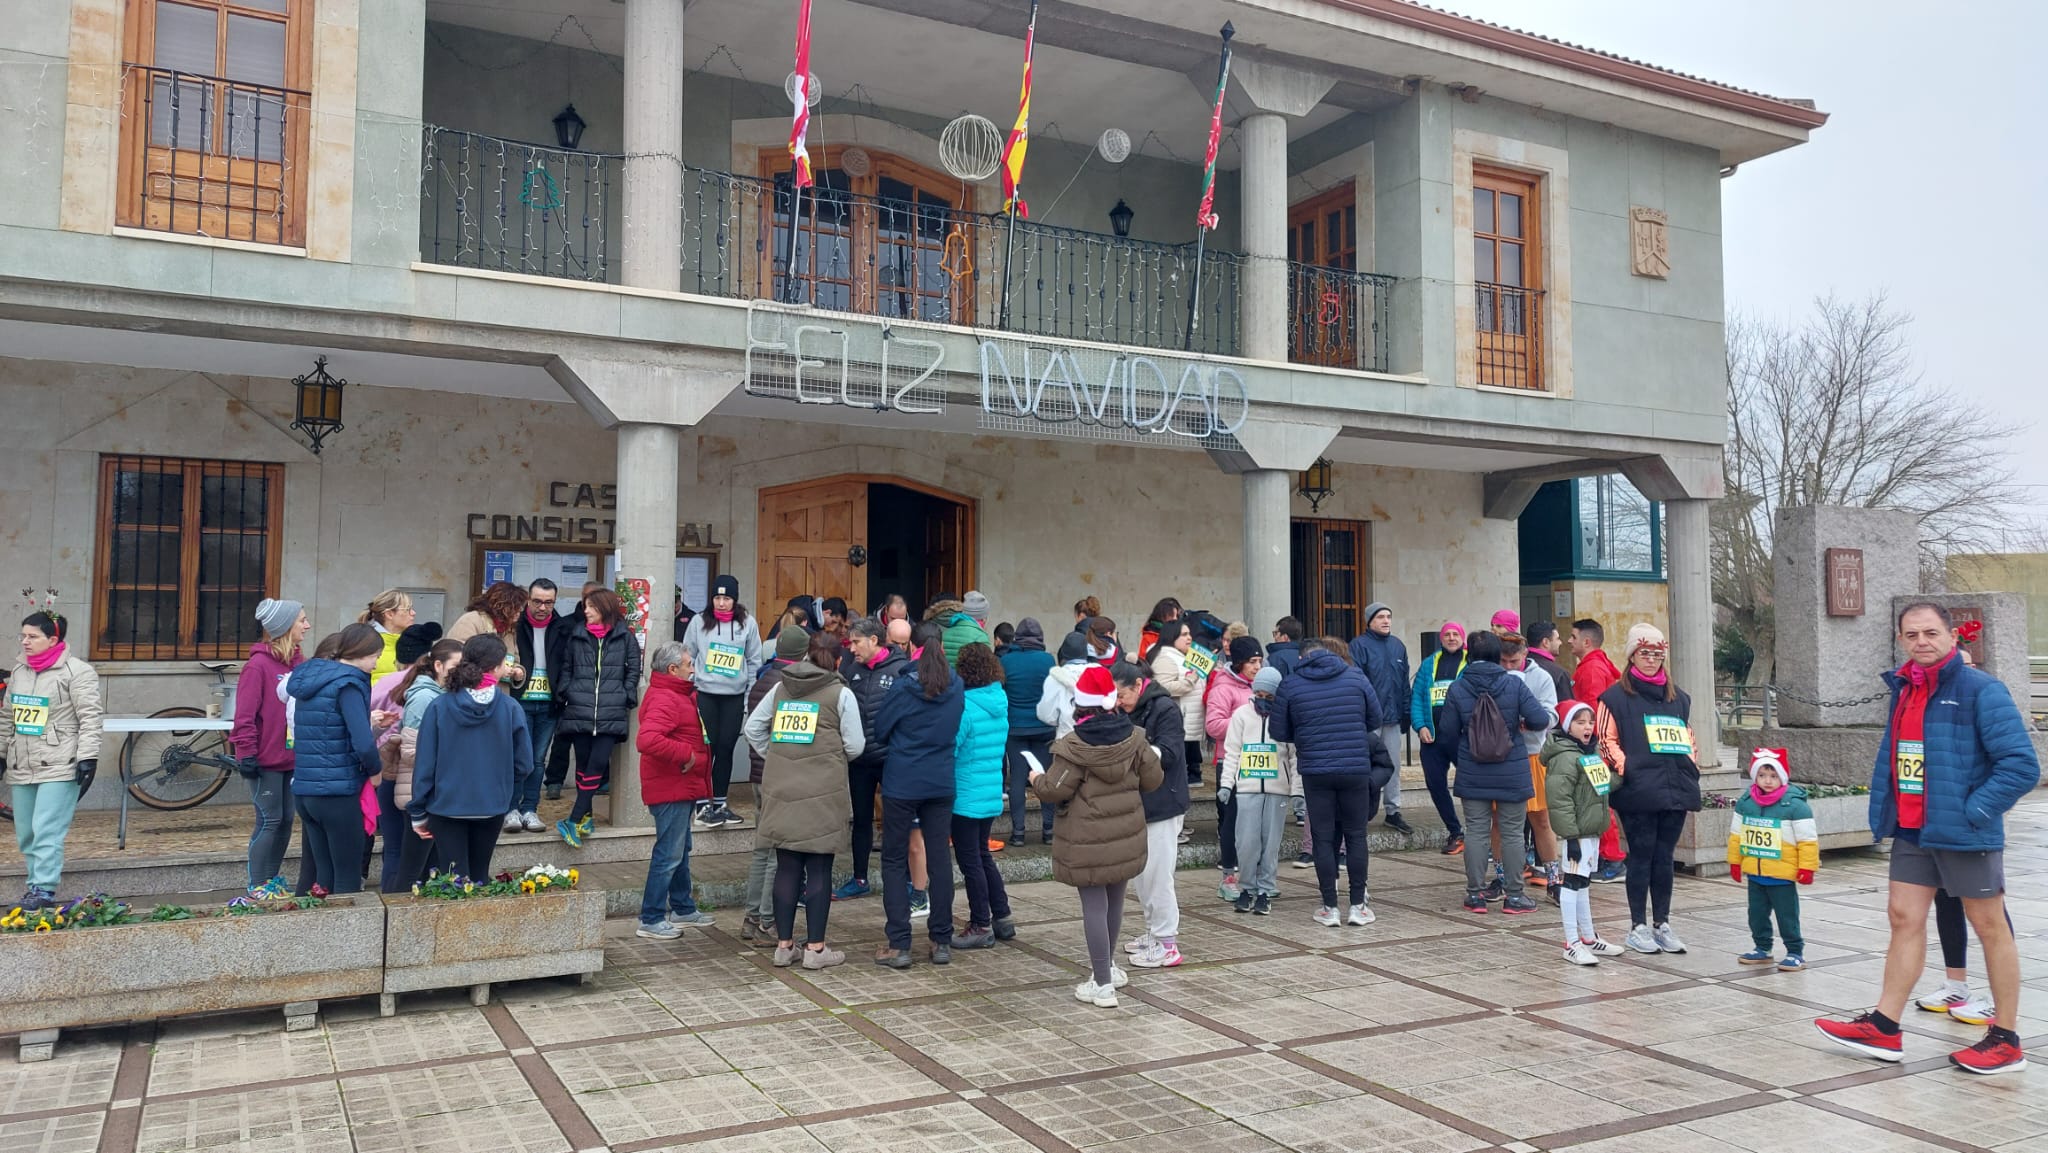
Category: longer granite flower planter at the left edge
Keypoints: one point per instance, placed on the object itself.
(163, 970)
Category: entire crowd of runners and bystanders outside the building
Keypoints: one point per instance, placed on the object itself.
(931, 730)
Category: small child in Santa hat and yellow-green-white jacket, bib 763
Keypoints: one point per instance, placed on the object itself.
(1775, 843)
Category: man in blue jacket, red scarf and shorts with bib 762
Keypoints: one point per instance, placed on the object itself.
(1955, 759)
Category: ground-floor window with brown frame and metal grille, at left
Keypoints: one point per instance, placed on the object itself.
(185, 554)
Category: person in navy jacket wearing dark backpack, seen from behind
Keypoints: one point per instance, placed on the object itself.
(1492, 789)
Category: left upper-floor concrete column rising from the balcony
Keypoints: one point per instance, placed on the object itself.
(652, 216)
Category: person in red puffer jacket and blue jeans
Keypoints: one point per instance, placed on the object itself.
(675, 779)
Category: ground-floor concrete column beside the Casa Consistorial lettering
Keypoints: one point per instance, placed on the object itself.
(648, 460)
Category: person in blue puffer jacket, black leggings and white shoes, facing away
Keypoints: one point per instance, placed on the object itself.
(1328, 712)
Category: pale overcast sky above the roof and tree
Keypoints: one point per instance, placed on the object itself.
(1930, 179)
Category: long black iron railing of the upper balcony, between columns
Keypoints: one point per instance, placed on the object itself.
(546, 212)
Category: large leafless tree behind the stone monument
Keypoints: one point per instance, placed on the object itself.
(1832, 411)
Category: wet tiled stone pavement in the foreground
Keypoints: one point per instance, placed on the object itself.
(1431, 1033)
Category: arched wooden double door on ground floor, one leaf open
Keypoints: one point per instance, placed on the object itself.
(808, 540)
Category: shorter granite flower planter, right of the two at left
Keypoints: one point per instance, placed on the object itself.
(441, 945)
